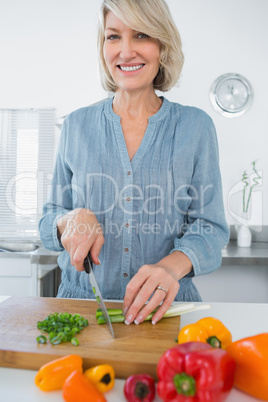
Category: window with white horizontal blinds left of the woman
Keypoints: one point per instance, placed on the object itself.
(26, 165)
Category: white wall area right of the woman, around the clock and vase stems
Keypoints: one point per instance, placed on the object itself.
(220, 37)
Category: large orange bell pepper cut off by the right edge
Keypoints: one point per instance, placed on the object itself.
(251, 357)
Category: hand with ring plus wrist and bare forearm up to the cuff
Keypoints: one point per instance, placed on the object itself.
(160, 280)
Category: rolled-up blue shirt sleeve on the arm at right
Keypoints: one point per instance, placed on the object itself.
(206, 231)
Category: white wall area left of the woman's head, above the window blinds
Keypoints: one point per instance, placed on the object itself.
(48, 54)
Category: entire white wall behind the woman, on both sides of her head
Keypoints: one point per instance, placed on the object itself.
(48, 58)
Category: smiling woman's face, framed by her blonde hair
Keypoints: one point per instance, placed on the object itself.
(132, 57)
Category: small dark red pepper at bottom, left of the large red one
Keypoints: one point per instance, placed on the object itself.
(139, 387)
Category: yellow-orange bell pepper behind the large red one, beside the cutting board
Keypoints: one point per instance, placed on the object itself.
(210, 330)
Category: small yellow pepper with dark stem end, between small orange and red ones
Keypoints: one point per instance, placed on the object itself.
(103, 376)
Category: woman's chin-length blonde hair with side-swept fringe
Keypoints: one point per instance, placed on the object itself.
(153, 18)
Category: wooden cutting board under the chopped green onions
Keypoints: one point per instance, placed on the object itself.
(135, 349)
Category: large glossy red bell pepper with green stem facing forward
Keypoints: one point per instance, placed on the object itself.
(195, 372)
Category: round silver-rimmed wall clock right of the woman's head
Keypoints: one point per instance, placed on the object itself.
(231, 95)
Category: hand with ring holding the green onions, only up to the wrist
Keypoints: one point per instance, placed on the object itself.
(140, 288)
